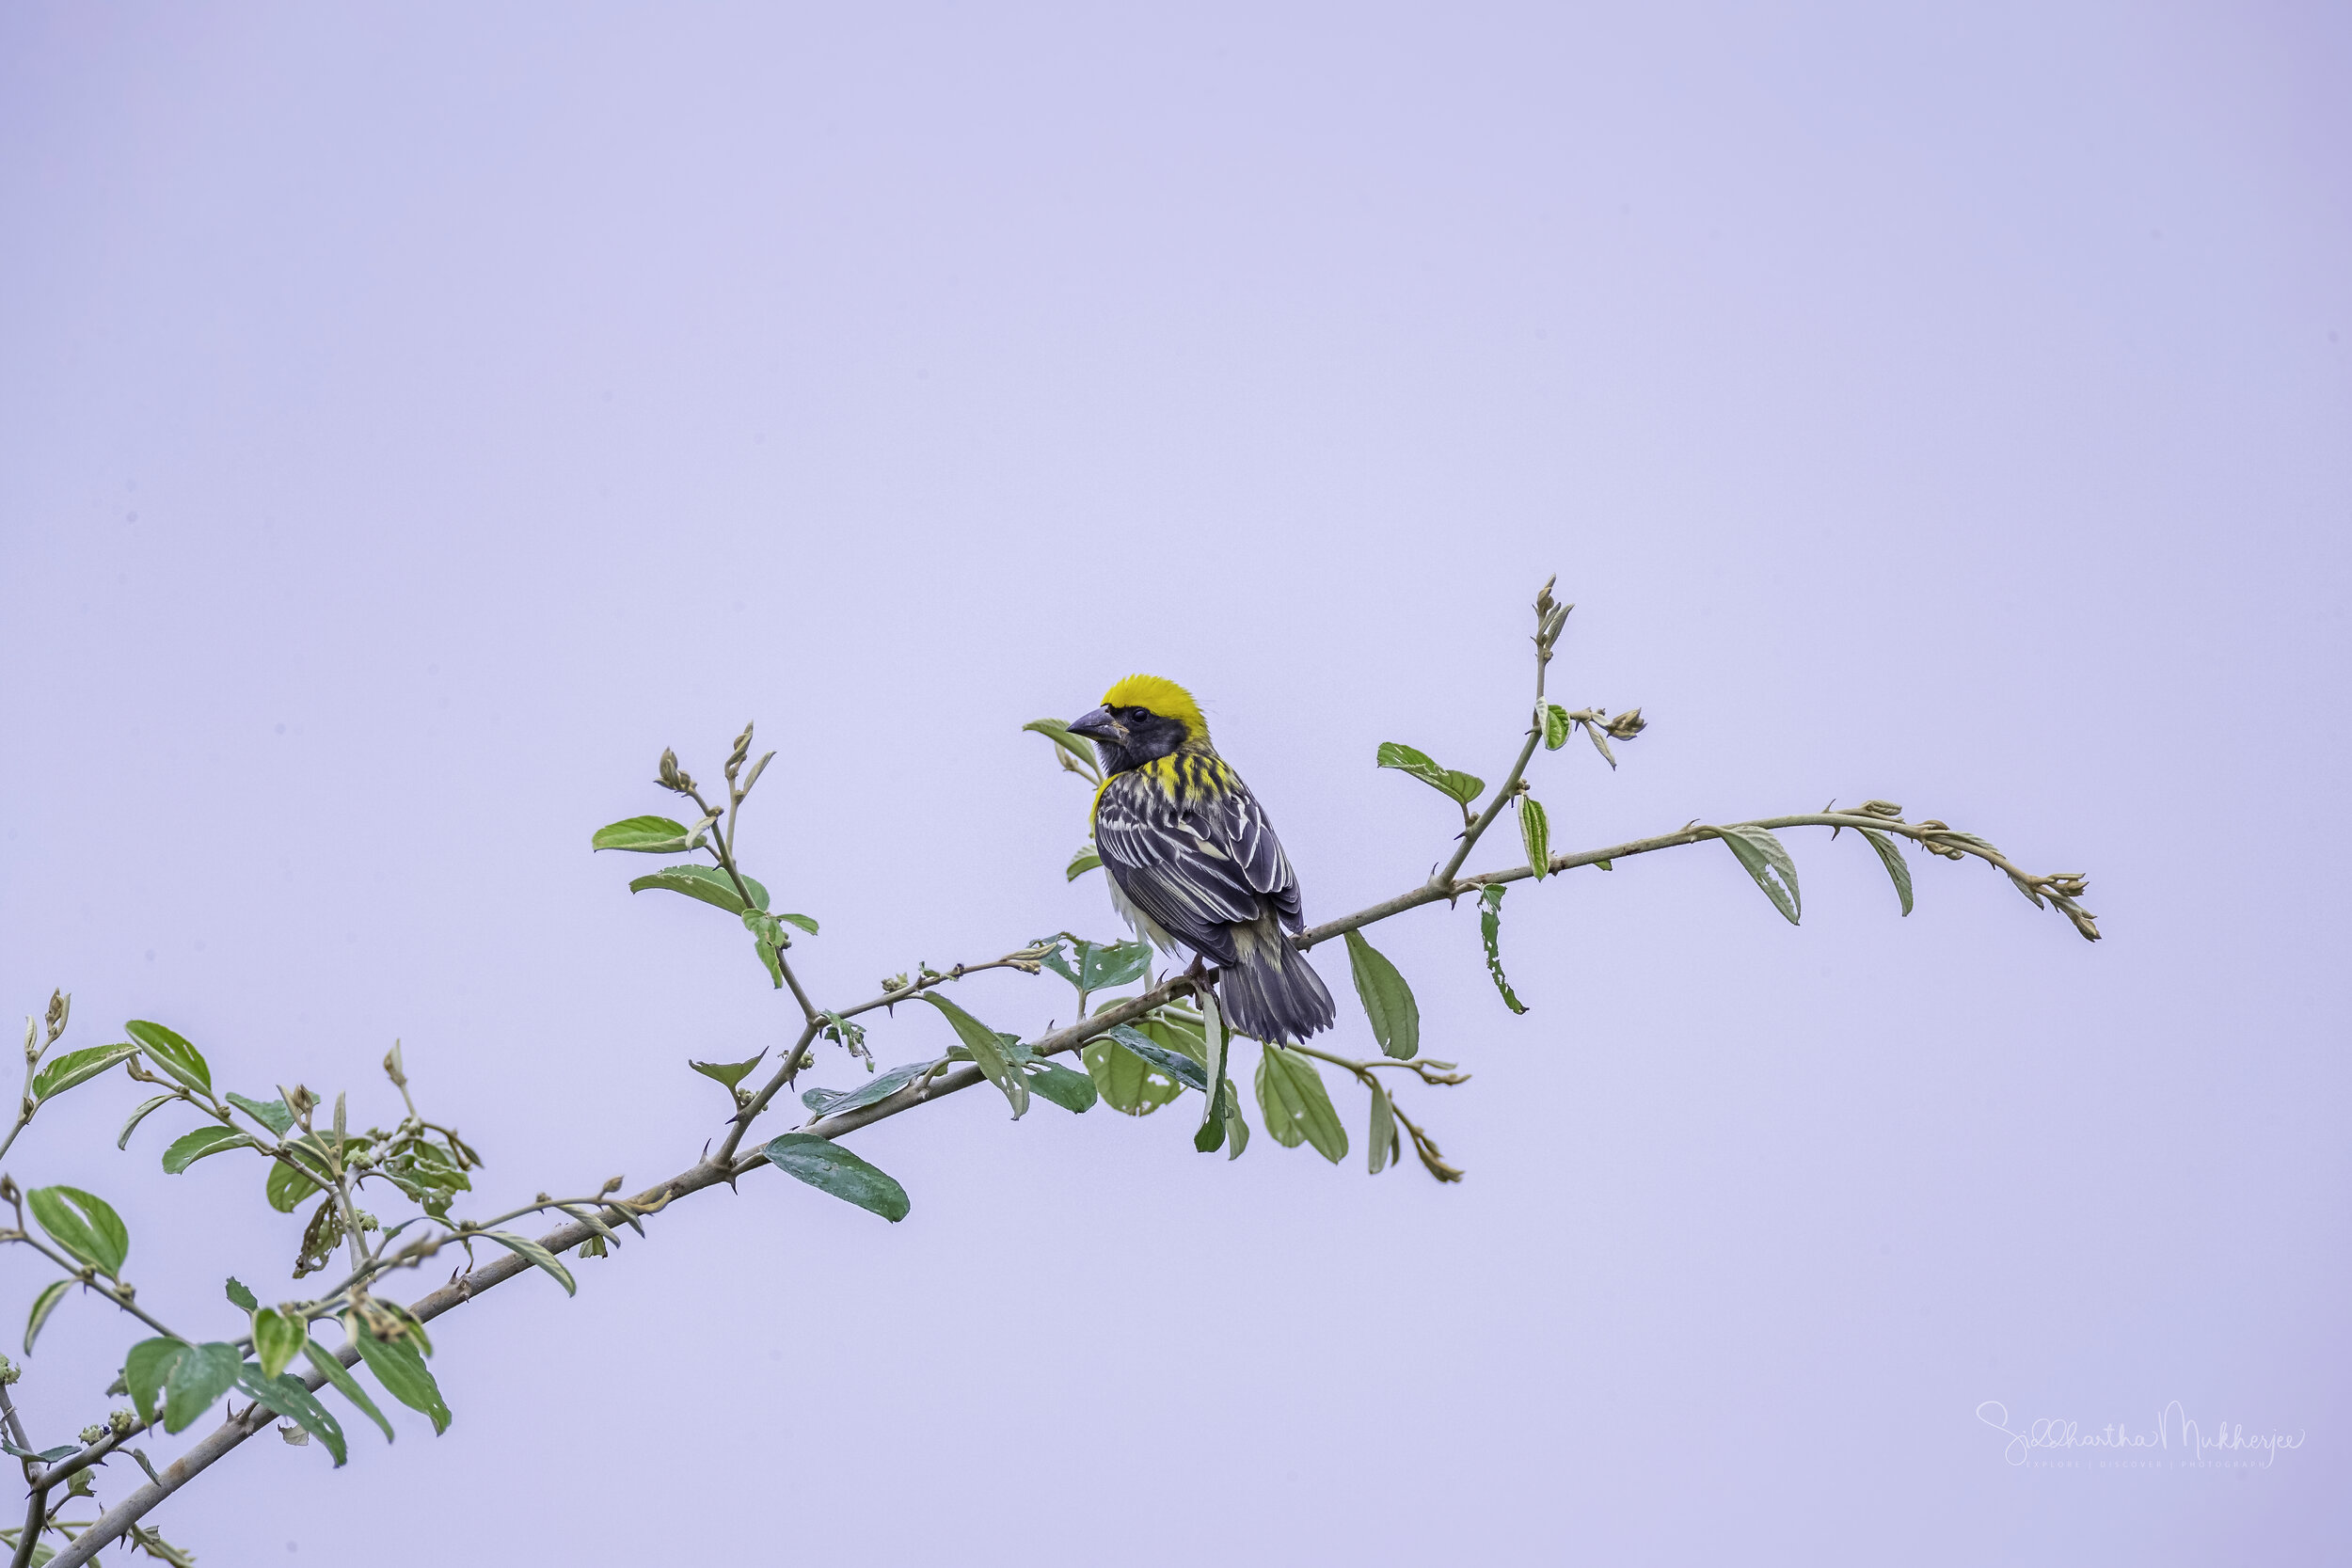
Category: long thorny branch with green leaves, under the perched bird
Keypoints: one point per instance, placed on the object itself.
(370, 1202)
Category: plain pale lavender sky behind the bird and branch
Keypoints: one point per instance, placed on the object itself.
(417, 417)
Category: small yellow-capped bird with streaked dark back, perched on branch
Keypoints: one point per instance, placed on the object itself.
(1194, 859)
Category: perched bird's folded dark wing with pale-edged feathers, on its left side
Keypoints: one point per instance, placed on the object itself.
(1172, 862)
